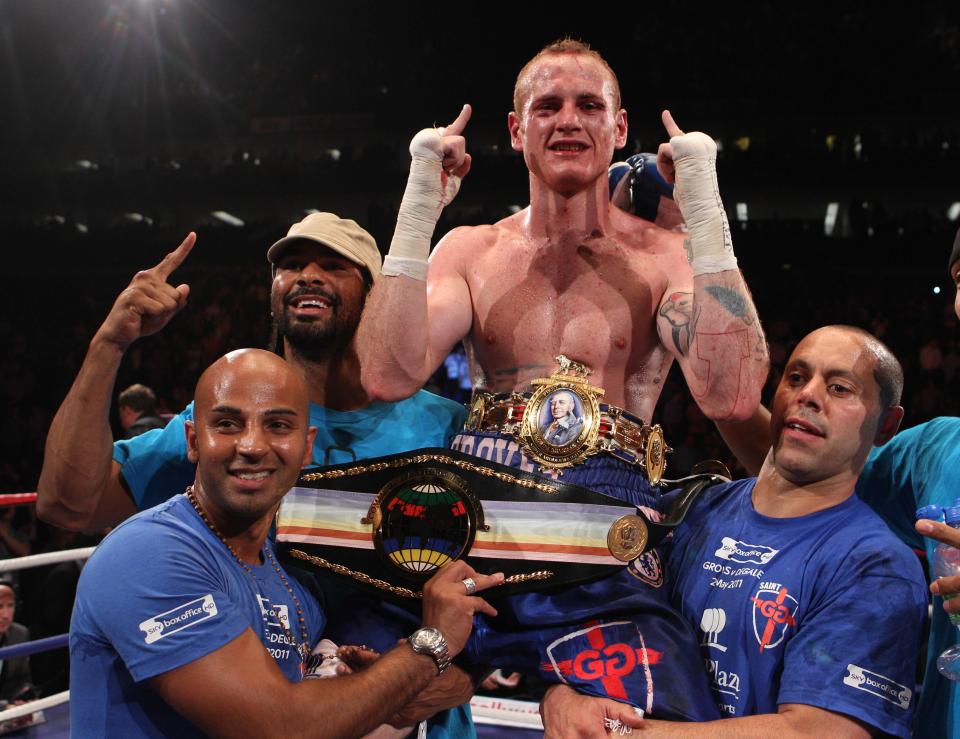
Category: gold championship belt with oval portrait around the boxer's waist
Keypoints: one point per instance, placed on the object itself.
(563, 422)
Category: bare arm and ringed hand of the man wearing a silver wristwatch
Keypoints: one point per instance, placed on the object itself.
(258, 700)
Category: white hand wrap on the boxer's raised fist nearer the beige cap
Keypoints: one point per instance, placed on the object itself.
(429, 189)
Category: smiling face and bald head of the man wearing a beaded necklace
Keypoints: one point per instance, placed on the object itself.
(250, 435)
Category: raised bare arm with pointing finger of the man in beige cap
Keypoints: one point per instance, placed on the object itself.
(80, 485)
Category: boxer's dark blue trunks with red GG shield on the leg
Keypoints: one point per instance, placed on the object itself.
(618, 637)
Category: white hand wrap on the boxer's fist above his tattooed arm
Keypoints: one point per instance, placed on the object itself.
(696, 192)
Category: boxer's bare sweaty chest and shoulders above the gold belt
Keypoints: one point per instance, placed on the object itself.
(594, 300)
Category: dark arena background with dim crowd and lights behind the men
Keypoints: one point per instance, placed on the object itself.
(127, 124)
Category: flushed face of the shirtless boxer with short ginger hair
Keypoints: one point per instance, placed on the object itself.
(569, 124)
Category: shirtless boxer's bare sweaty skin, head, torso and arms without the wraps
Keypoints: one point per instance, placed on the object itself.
(571, 274)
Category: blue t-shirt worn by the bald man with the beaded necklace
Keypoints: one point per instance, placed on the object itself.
(138, 615)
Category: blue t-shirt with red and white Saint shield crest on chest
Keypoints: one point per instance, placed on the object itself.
(825, 609)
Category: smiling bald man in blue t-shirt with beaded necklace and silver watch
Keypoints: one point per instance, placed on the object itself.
(213, 634)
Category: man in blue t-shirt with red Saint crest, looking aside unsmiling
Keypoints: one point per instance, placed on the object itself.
(810, 611)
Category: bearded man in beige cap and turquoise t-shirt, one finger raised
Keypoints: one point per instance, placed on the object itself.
(323, 270)
